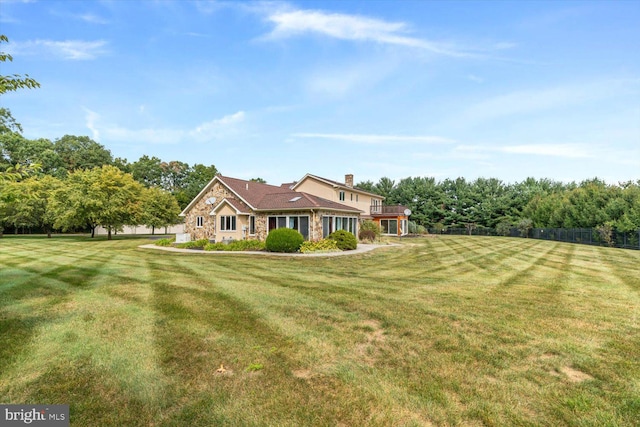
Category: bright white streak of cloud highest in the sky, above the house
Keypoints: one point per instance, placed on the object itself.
(290, 23)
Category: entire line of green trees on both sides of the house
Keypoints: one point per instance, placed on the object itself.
(74, 183)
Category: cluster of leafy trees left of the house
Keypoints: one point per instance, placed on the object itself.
(74, 183)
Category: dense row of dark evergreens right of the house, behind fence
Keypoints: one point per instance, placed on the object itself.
(491, 203)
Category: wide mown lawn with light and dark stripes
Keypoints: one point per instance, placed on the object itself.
(438, 331)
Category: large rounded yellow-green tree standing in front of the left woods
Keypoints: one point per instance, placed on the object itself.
(103, 196)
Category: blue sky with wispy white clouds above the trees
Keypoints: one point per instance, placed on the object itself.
(375, 88)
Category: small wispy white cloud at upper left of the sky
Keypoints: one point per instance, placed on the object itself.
(66, 49)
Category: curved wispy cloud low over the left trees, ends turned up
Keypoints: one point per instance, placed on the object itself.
(216, 129)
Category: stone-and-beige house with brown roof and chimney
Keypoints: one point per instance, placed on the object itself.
(235, 209)
